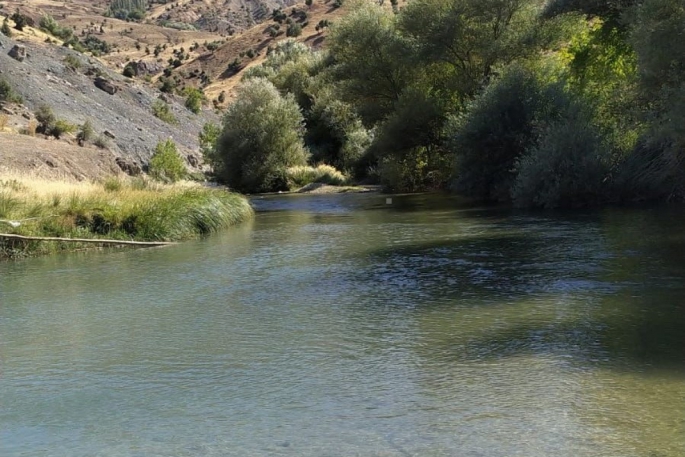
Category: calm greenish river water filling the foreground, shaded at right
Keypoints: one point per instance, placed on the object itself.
(345, 326)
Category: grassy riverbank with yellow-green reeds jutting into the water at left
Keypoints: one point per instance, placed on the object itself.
(119, 209)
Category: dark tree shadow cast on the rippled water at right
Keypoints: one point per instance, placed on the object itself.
(591, 289)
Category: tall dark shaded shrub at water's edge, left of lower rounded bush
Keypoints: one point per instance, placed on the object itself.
(497, 129)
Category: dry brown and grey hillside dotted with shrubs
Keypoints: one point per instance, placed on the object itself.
(203, 57)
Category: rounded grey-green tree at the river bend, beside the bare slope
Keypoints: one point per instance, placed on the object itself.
(261, 137)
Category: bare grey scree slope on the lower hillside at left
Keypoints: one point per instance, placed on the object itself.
(44, 79)
